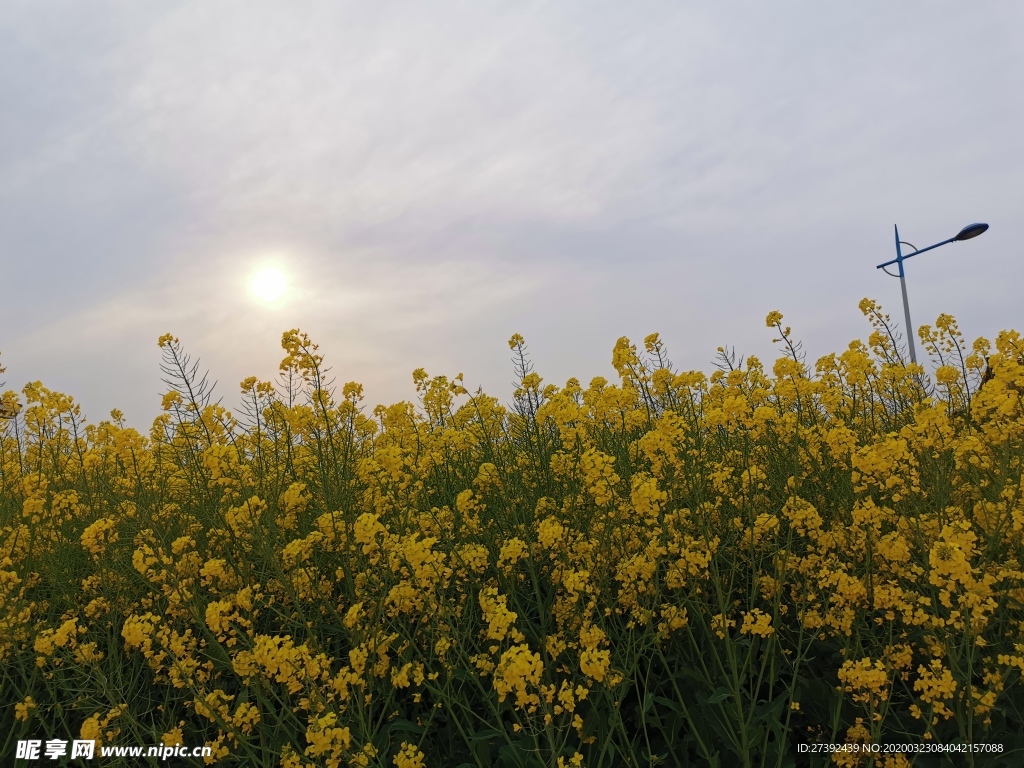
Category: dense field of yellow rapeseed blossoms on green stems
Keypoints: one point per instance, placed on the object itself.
(671, 570)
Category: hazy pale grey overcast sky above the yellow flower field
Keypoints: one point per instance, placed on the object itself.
(431, 179)
